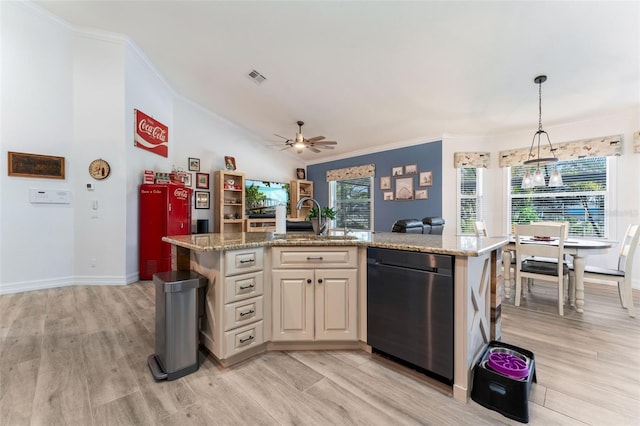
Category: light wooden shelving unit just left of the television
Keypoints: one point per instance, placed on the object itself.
(228, 188)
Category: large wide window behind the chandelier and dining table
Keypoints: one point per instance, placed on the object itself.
(582, 200)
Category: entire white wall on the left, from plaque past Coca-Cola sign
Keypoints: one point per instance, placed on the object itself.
(73, 93)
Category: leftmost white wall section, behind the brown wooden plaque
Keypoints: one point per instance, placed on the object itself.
(36, 98)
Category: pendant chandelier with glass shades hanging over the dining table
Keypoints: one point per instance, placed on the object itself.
(529, 181)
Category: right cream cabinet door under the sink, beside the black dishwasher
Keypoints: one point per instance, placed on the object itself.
(336, 304)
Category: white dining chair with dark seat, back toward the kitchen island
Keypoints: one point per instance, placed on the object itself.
(530, 241)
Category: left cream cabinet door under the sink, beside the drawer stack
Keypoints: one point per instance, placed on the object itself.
(293, 306)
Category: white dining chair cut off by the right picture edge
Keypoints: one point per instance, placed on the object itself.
(622, 274)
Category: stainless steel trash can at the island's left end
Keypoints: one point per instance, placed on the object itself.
(179, 304)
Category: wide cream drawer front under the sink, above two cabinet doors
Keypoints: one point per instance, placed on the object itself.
(316, 257)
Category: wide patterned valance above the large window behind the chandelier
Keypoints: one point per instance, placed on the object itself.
(605, 146)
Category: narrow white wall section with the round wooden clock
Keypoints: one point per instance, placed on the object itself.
(98, 94)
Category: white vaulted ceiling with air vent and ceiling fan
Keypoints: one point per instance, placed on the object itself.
(382, 73)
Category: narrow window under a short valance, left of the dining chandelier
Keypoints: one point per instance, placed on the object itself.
(469, 199)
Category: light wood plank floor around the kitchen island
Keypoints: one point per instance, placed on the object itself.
(77, 355)
